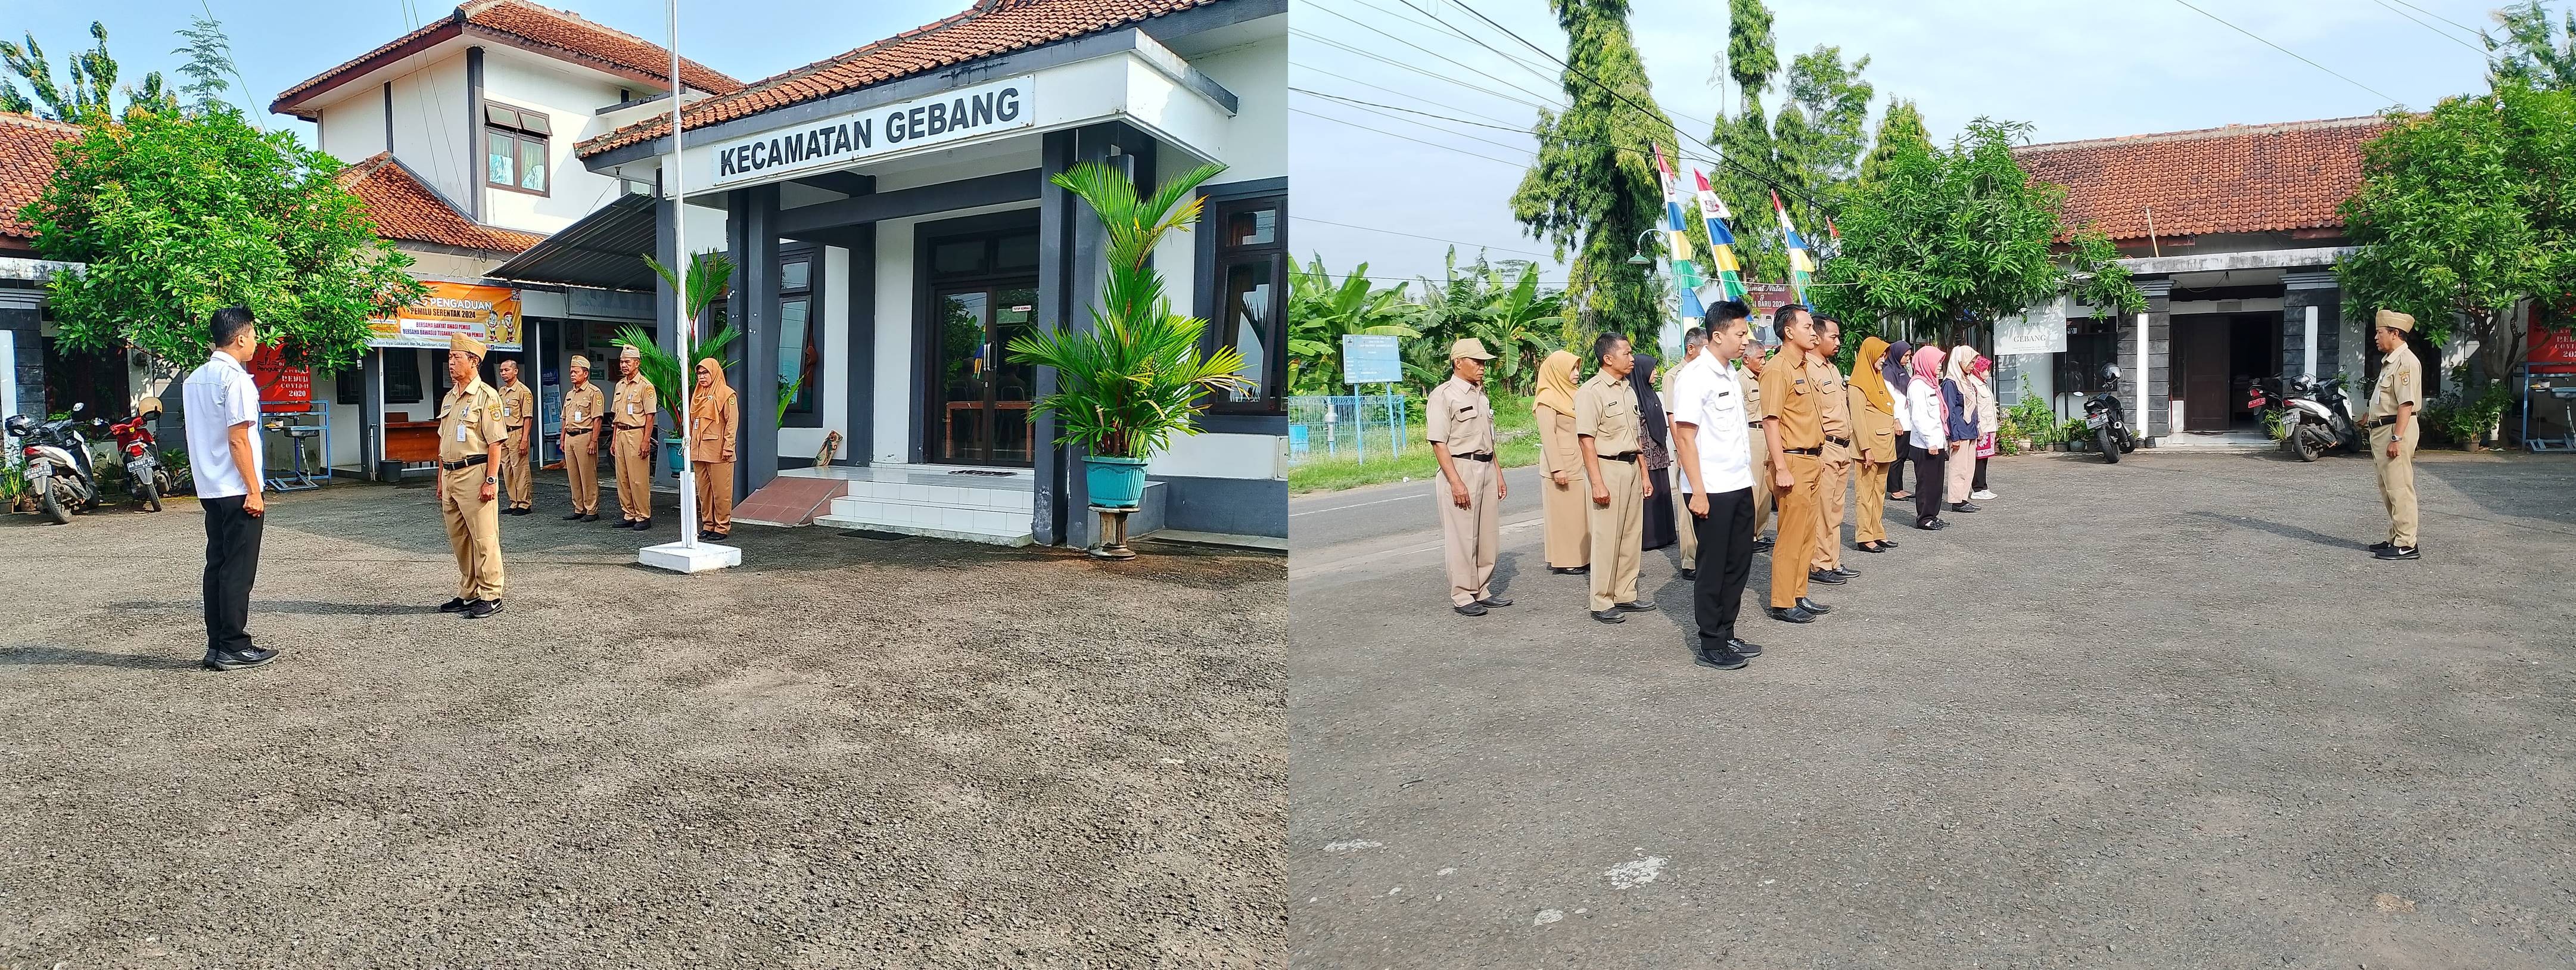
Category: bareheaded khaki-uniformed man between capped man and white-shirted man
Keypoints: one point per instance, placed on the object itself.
(1606, 423)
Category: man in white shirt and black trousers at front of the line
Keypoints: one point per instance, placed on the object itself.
(1709, 441)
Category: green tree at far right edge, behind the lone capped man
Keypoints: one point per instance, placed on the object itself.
(2464, 215)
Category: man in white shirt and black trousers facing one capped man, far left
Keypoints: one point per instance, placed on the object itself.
(225, 459)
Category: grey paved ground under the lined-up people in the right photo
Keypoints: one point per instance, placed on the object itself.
(2160, 714)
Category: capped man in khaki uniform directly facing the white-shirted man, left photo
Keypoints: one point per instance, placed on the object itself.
(470, 439)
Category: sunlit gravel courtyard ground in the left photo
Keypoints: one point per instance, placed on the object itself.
(846, 755)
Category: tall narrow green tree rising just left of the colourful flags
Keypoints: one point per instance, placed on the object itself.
(1596, 189)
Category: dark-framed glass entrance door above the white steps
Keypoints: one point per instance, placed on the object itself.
(983, 400)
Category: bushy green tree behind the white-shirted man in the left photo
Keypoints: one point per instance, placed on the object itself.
(182, 215)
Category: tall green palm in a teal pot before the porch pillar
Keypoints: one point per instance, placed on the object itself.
(1135, 380)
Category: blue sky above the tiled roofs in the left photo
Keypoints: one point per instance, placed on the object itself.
(285, 42)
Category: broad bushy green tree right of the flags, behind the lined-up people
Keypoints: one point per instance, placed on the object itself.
(1962, 238)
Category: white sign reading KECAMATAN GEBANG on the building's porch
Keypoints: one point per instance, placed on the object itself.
(862, 135)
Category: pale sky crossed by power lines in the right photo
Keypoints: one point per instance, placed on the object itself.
(2072, 68)
